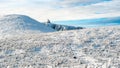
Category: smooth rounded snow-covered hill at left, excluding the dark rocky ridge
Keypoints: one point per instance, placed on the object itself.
(21, 24)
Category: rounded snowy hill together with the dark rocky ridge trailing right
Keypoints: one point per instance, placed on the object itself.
(19, 24)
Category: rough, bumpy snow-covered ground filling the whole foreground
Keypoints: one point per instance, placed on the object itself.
(86, 48)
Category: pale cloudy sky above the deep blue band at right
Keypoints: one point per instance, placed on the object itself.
(58, 10)
